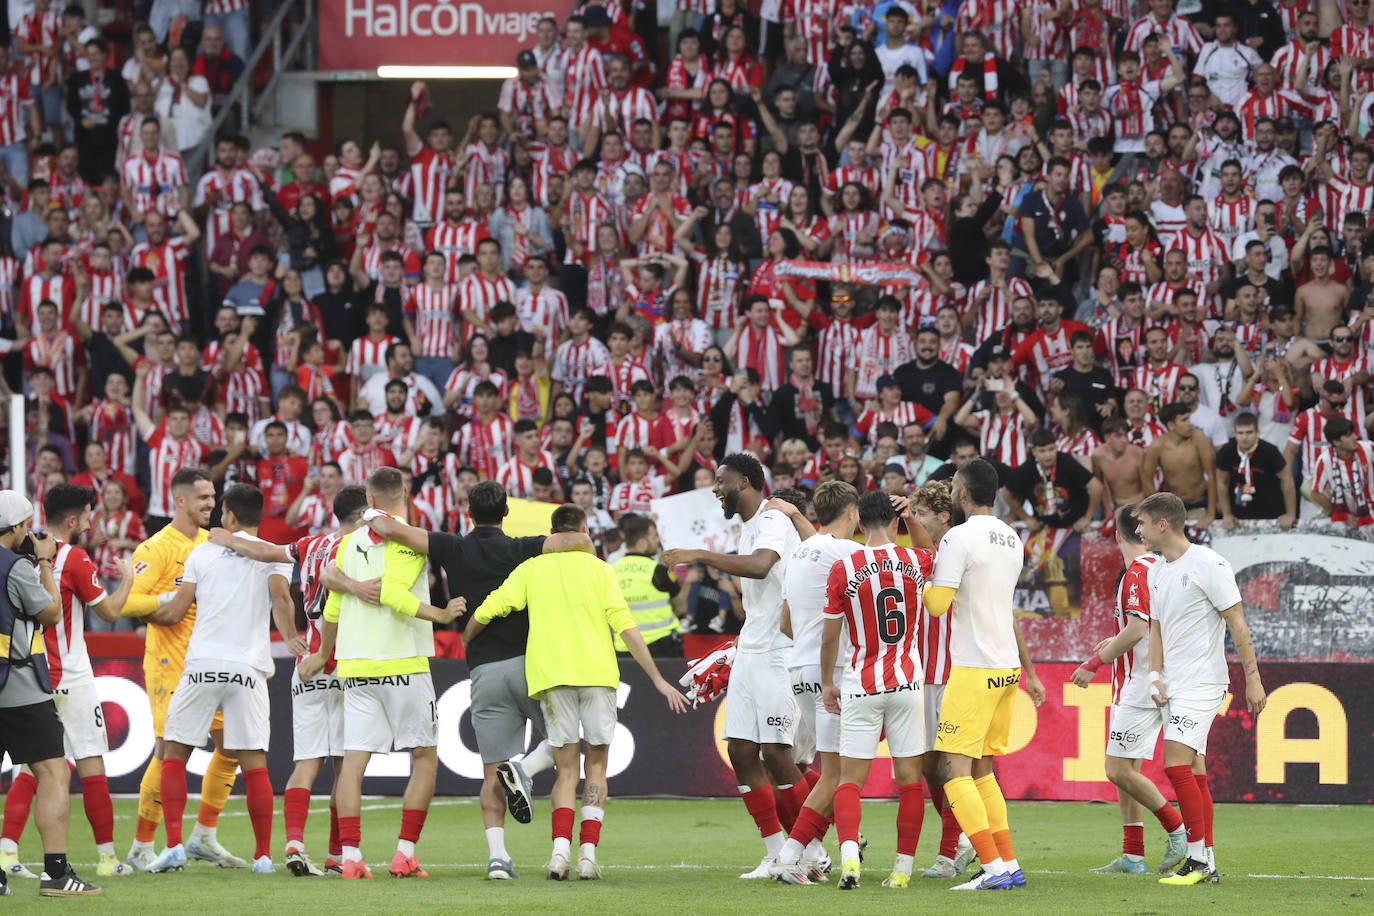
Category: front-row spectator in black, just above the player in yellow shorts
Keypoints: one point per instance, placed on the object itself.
(1061, 492)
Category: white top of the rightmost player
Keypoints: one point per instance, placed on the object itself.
(1188, 598)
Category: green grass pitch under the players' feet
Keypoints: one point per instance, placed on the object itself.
(675, 856)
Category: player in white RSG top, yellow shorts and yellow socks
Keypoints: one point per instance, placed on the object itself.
(975, 580)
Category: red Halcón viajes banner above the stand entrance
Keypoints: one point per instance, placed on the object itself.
(363, 35)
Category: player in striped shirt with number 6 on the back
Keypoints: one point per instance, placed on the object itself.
(875, 597)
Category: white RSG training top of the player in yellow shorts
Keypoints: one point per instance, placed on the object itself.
(982, 560)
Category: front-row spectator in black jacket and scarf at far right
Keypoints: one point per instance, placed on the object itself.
(1252, 479)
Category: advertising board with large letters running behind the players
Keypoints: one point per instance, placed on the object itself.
(1313, 744)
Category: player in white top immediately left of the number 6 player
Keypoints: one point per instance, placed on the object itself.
(803, 859)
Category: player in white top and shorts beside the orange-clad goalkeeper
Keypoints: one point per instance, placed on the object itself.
(229, 660)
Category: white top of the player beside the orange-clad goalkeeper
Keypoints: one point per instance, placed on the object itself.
(233, 608)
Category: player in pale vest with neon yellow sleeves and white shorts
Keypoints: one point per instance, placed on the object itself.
(384, 652)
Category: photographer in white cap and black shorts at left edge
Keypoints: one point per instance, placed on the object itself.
(31, 731)
